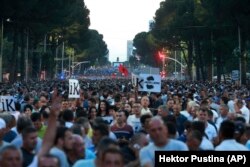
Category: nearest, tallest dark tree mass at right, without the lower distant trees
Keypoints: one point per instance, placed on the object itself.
(206, 29)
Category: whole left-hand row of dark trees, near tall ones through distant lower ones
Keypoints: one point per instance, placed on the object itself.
(36, 32)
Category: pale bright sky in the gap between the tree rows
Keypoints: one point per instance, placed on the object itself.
(119, 21)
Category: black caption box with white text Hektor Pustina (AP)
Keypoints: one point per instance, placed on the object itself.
(199, 158)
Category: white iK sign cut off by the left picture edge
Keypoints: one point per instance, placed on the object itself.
(7, 103)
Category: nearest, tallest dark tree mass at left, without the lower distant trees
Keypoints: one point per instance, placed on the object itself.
(35, 20)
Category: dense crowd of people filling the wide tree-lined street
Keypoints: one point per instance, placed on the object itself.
(114, 125)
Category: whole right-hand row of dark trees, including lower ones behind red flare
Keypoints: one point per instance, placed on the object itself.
(208, 33)
